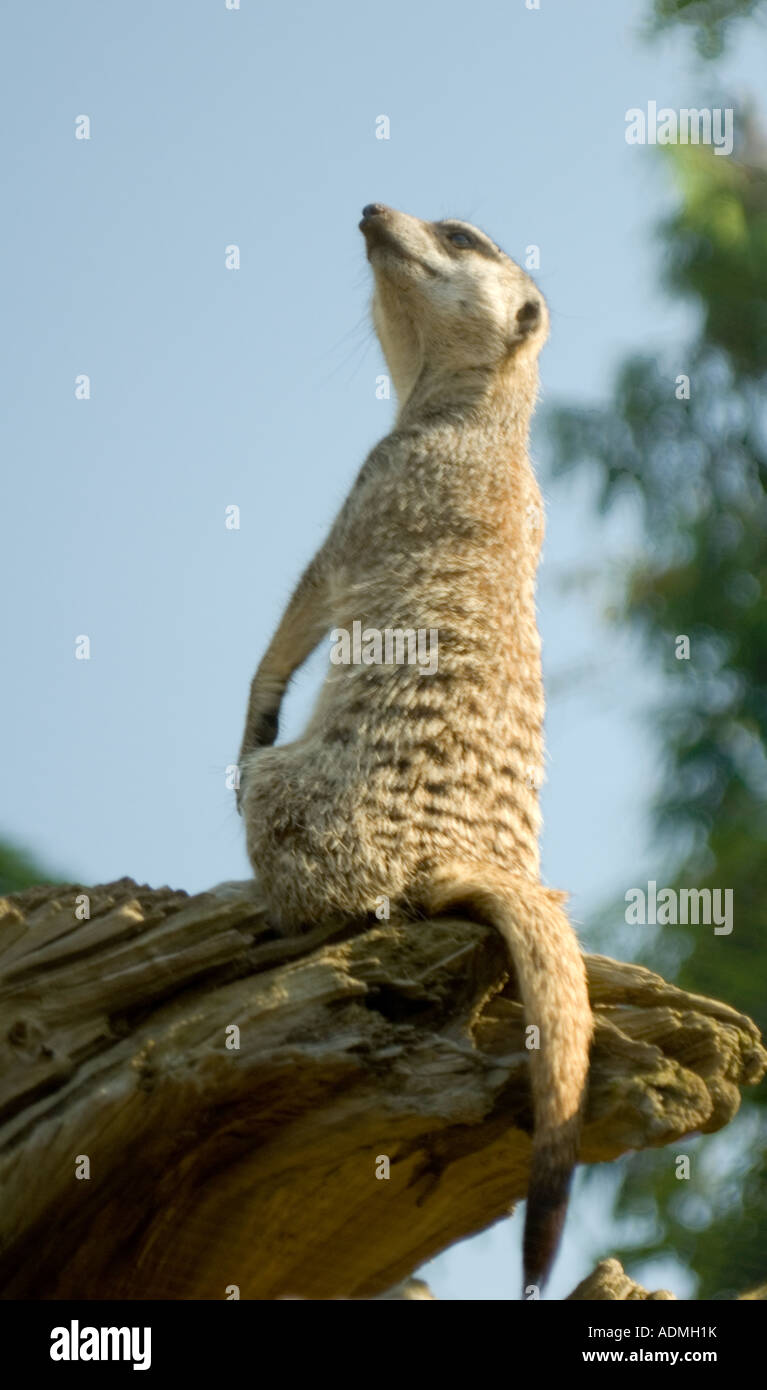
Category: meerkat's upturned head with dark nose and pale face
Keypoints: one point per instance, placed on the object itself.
(448, 300)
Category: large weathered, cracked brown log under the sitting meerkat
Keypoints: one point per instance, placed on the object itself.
(213, 1166)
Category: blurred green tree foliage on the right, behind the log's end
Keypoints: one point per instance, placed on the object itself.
(700, 468)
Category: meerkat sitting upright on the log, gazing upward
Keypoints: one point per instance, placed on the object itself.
(416, 786)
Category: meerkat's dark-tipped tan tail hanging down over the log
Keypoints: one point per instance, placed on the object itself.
(552, 982)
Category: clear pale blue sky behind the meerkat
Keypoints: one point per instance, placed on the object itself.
(258, 389)
